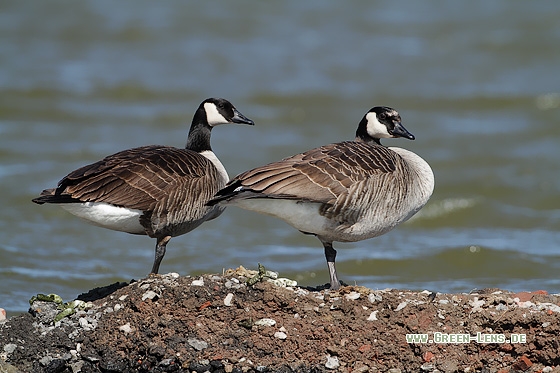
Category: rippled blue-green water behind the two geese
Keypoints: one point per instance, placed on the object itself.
(477, 83)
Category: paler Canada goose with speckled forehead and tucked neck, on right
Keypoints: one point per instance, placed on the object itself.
(347, 192)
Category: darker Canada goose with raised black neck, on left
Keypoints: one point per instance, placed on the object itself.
(159, 191)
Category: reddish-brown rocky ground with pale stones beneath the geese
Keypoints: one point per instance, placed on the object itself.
(221, 323)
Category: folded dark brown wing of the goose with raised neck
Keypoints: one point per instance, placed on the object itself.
(135, 178)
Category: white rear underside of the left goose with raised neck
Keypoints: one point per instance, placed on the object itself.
(107, 216)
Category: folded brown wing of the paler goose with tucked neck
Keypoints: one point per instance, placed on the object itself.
(321, 175)
